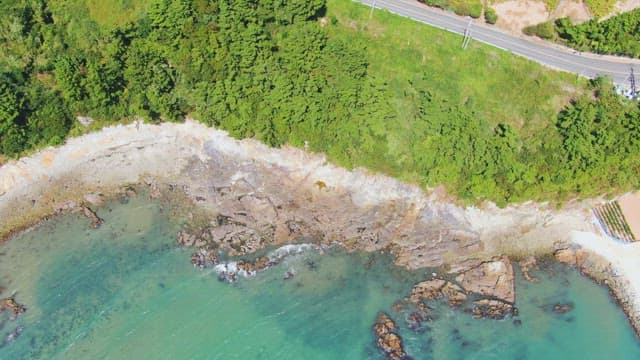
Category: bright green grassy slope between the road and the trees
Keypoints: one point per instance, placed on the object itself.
(501, 87)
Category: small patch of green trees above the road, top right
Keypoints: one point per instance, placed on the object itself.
(618, 35)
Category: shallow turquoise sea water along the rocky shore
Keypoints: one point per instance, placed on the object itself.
(125, 291)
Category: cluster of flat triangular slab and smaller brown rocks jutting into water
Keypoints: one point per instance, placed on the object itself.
(493, 281)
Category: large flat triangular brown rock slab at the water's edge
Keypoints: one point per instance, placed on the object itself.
(494, 278)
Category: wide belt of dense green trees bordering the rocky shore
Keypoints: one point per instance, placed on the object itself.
(284, 72)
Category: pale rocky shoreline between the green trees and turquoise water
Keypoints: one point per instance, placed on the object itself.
(248, 197)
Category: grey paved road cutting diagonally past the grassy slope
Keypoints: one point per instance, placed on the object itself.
(557, 57)
